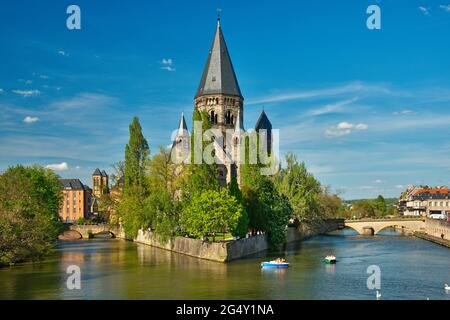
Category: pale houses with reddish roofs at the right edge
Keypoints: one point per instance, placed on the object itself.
(425, 201)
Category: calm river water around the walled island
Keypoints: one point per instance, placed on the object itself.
(115, 269)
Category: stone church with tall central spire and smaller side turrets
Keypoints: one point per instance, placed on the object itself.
(220, 96)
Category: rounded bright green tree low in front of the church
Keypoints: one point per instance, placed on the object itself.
(211, 211)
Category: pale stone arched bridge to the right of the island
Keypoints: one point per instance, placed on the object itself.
(374, 226)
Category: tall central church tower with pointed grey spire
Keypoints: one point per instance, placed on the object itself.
(220, 96)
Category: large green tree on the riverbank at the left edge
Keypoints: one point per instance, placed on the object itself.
(30, 198)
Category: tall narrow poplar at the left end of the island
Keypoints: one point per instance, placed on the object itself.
(135, 189)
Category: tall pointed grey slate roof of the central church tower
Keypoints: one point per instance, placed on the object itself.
(219, 76)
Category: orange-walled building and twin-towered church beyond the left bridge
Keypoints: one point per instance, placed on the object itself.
(79, 200)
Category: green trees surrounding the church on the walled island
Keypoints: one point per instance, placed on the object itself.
(187, 200)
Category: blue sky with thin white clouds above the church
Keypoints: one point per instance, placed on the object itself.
(368, 111)
